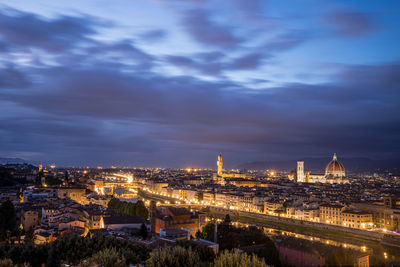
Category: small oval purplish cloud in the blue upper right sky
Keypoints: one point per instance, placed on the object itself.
(352, 24)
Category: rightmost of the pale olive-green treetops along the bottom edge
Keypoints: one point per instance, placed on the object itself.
(235, 259)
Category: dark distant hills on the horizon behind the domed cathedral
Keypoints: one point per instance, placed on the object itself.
(317, 165)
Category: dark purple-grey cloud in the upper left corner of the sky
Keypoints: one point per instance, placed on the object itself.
(26, 30)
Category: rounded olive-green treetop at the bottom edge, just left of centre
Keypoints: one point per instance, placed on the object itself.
(173, 257)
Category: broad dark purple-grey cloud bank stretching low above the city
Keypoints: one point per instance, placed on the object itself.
(144, 113)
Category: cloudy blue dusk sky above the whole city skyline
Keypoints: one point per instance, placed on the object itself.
(173, 83)
